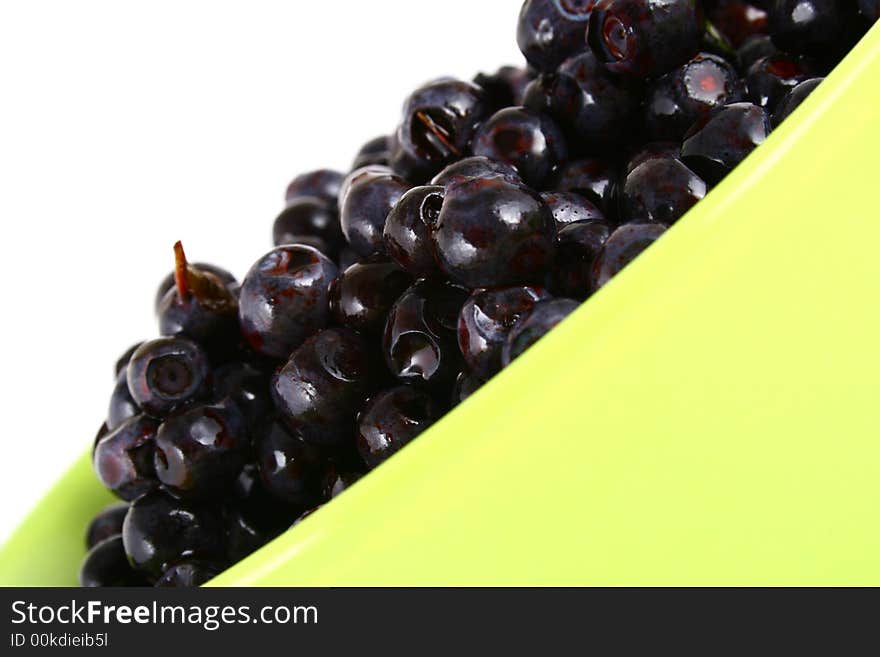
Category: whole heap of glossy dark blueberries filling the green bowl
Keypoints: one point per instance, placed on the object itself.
(396, 290)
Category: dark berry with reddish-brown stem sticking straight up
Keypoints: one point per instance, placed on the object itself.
(199, 306)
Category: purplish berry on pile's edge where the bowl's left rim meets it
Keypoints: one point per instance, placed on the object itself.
(123, 459)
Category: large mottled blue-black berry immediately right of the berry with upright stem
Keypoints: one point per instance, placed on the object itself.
(284, 299)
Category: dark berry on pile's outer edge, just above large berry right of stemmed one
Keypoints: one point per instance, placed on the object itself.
(312, 221)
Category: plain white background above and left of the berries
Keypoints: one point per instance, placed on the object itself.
(126, 126)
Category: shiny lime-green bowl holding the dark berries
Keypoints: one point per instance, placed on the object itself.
(711, 417)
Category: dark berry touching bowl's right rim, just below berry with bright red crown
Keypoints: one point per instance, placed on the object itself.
(660, 190)
